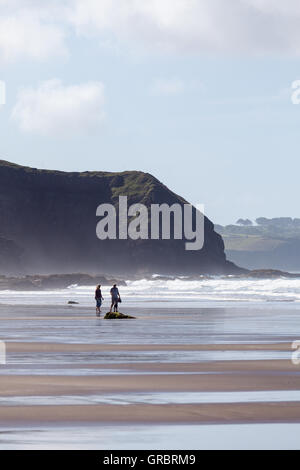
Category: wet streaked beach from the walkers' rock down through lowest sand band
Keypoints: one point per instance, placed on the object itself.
(156, 353)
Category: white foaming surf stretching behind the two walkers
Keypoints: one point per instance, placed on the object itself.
(175, 291)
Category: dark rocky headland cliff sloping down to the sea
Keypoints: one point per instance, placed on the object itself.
(49, 218)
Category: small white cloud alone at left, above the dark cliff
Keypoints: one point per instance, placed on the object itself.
(54, 109)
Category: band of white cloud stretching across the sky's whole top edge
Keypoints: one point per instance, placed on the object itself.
(36, 29)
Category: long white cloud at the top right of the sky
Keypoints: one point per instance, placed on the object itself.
(233, 26)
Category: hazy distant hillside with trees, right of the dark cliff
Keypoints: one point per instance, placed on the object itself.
(270, 243)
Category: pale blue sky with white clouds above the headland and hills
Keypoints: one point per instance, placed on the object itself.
(196, 92)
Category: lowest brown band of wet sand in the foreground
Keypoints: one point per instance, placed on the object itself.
(159, 414)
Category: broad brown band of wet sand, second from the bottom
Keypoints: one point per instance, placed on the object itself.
(239, 376)
